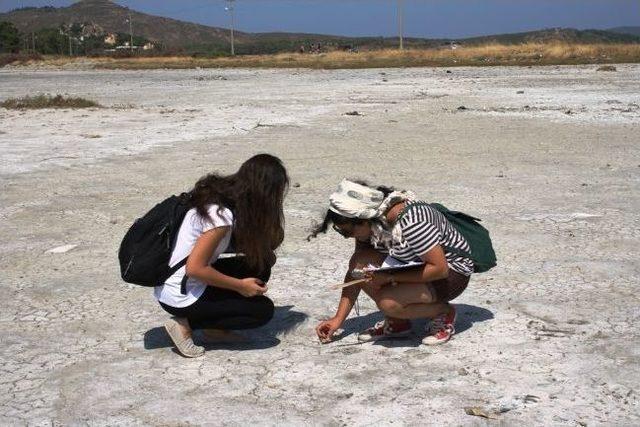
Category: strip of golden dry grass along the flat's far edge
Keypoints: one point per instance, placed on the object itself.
(526, 54)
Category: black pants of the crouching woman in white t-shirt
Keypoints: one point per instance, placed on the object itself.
(224, 309)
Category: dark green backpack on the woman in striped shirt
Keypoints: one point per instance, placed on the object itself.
(482, 253)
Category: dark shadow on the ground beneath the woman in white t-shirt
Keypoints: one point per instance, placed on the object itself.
(285, 320)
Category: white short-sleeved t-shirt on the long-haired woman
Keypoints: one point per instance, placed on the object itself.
(193, 226)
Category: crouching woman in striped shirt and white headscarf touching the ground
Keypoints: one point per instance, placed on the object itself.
(391, 226)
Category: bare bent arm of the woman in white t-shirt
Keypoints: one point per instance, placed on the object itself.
(198, 266)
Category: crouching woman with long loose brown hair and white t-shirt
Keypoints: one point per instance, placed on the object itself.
(226, 294)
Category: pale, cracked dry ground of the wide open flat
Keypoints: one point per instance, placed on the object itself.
(548, 157)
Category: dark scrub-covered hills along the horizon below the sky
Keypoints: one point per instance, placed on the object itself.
(104, 16)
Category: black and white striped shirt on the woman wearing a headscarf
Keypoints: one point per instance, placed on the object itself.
(423, 227)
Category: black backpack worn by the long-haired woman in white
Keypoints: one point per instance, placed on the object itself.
(146, 248)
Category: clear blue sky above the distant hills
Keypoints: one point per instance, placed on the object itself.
(421, 18)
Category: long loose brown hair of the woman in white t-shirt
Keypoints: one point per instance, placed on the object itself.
(255, 195)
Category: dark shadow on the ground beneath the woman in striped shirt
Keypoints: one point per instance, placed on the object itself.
(467, 315)
